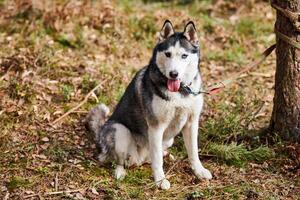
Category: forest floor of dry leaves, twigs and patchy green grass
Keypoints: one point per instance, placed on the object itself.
(54, 52)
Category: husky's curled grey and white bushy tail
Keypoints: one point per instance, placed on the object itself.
(95, 120)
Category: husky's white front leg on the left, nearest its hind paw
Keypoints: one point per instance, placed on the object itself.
(155, 135)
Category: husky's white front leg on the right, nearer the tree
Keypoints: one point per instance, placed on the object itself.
(190, 136)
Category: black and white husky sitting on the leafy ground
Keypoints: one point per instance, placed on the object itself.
(162, 100)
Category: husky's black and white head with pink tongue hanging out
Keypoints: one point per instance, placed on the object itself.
(177, 55)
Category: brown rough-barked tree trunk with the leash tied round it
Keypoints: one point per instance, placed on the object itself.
(286, 111)
